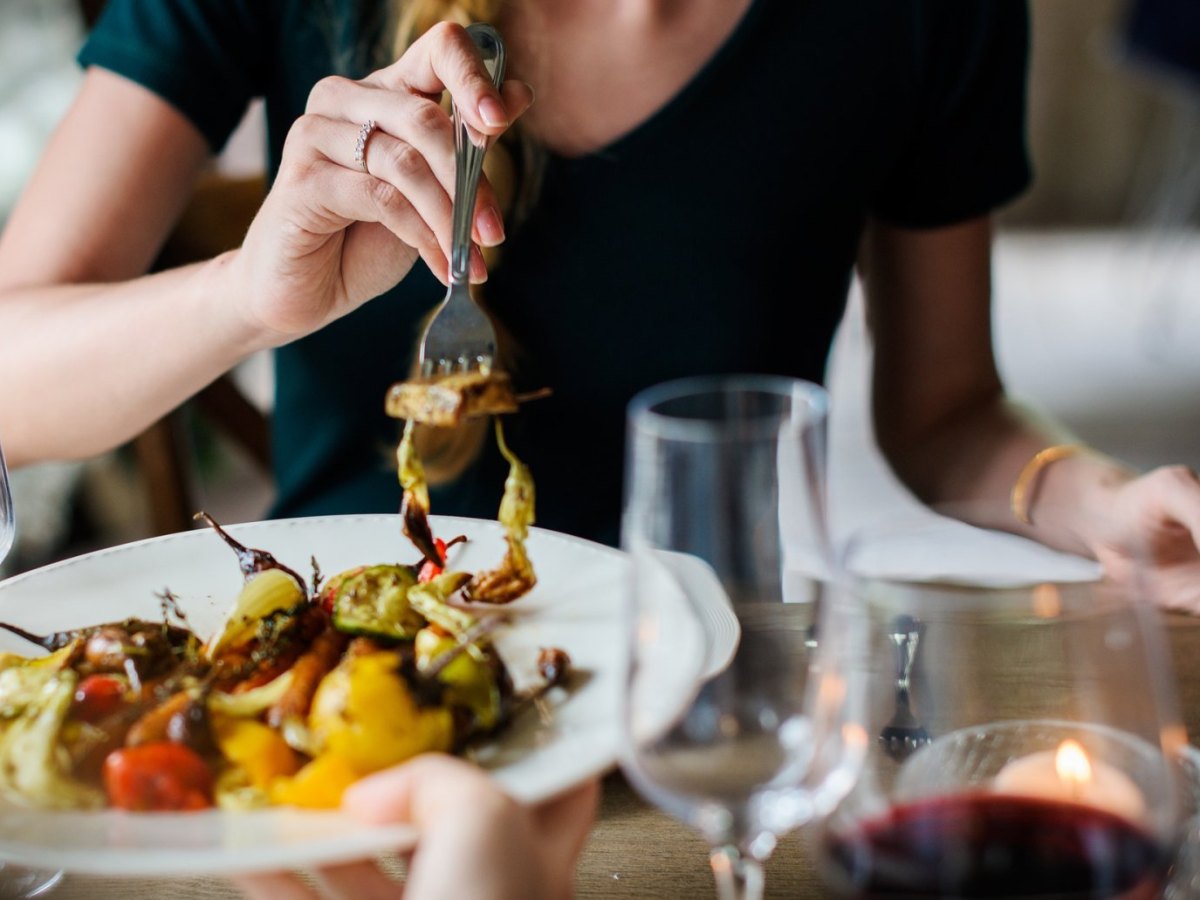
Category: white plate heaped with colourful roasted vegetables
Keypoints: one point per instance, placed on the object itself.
(199, 703)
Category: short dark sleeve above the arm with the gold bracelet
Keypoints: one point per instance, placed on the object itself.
(967, 153)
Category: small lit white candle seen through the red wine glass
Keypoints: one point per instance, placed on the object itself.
(1067, 775)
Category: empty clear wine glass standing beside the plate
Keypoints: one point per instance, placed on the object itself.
(736, 722)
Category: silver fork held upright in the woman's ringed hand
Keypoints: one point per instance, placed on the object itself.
(460, 337)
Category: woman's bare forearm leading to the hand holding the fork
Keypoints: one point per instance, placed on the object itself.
(88, 367)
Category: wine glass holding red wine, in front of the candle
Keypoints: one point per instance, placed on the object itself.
(1041, 723)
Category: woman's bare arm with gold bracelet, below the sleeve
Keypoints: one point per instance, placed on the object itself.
(939, 406)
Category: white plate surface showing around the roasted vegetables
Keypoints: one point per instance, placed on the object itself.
(578, 605)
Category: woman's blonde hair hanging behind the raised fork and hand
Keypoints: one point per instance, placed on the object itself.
(447, 453)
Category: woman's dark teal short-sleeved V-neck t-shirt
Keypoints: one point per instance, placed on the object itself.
(717, 237)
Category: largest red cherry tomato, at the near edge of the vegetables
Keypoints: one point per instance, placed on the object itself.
(158, 778)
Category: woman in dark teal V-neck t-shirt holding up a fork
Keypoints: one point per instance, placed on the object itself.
(691, 194)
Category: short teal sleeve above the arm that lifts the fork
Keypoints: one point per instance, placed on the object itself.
(207, 58)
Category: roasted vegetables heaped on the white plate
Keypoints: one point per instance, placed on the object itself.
(301, 692)
